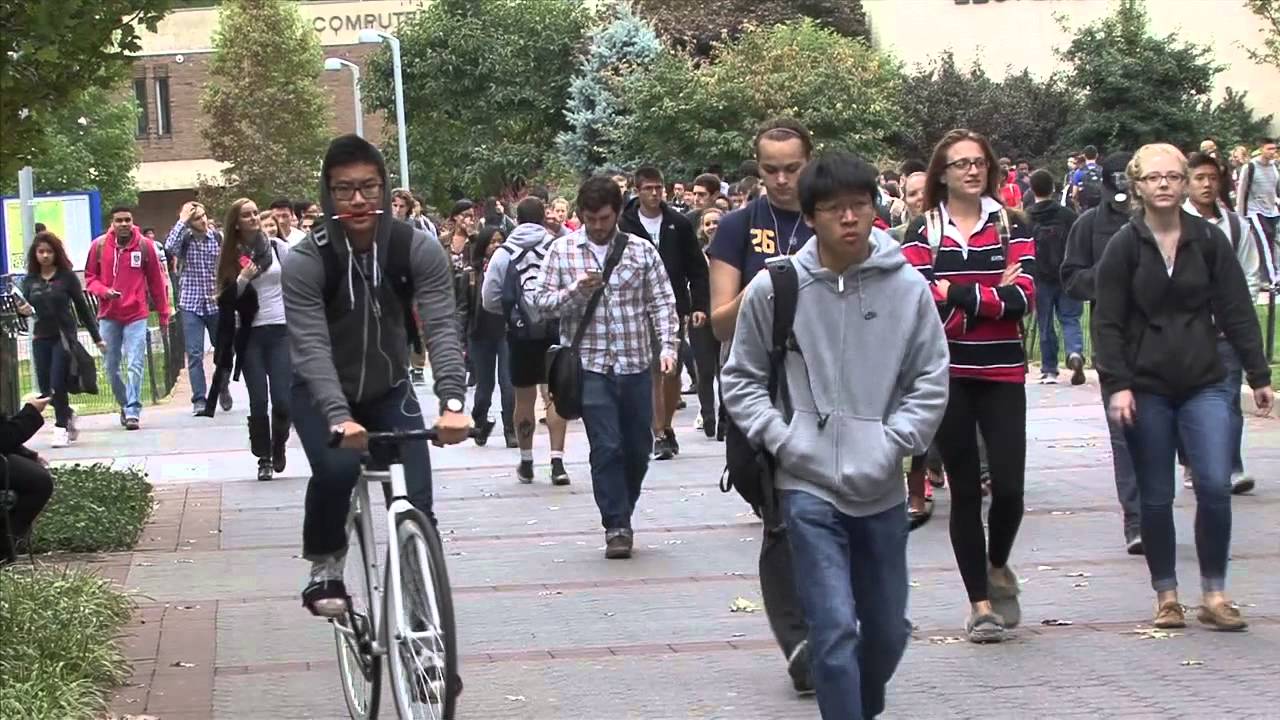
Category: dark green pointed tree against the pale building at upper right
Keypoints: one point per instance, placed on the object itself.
(1137, 88)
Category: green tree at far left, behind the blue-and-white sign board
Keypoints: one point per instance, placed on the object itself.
(90, 145)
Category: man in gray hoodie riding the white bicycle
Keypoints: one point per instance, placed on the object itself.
(346, 289)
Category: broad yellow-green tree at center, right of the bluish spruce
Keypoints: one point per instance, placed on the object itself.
(684, 115)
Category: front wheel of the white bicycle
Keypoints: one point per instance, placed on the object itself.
(422, 641)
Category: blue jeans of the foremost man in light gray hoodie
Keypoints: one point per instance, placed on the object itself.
(852, 580)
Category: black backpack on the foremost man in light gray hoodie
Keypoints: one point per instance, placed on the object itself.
(751, 470)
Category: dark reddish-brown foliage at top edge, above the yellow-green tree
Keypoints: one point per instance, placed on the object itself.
(698, 26)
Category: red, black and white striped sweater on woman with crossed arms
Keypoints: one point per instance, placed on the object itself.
(982, 320)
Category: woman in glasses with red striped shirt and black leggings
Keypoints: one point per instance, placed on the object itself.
(980, 258)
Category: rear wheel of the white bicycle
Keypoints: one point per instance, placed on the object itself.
(360, 669)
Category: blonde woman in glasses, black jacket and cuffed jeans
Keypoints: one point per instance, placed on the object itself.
(1168, 284)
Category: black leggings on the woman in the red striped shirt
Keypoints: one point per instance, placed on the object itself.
(999, 412)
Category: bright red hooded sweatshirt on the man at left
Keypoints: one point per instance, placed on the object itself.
(132, 270)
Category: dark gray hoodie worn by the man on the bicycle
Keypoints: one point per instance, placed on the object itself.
(355, 350)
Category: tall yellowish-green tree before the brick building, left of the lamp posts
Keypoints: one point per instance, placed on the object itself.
(267, 116)
